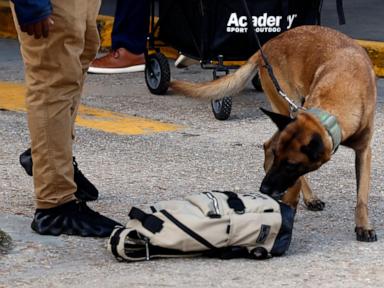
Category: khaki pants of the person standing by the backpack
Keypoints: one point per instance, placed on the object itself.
(55, 70)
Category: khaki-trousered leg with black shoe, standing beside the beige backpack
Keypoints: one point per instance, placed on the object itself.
(54, 77)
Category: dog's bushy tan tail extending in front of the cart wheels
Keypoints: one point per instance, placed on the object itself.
(229, 85)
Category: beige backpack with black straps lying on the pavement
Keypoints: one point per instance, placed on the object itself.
(216, 224)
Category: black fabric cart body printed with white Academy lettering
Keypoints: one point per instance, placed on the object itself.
(204, 29)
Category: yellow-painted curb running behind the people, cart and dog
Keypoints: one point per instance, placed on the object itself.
(375, 49)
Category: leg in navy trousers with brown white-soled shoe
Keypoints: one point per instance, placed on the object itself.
(129, 34)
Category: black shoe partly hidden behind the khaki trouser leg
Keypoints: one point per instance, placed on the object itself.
(86, 191)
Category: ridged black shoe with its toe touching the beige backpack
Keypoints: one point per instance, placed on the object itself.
(72, 218)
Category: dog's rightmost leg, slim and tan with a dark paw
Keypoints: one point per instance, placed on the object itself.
(364, 231)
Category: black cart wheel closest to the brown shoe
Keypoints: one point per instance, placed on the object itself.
(157, 74)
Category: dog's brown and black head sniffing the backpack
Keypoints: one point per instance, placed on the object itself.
(299, 146)
